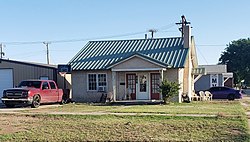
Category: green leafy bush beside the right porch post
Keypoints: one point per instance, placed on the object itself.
(169, 89)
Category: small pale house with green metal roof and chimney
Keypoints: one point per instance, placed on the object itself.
(134, 67)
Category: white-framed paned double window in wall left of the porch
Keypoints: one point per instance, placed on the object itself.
(97, 80)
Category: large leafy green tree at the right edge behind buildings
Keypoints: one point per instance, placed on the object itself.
(237, 58)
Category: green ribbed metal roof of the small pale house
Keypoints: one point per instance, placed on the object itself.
(98, 55)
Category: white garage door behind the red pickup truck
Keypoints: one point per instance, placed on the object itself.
(6, 80)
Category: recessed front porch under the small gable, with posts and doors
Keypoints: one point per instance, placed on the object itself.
(137, 86)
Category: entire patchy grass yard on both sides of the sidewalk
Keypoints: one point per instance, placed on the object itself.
(229, 124)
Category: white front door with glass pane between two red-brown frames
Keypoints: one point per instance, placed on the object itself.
(143, 87)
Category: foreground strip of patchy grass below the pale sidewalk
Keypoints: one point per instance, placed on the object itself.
(129, 128)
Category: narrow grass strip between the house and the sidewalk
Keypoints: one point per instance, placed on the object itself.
(210, 108)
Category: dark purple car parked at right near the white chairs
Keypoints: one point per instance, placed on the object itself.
(222, 92)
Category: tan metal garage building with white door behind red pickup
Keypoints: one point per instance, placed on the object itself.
(12, 72)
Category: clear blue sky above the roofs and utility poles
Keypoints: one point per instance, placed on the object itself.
(215, 23)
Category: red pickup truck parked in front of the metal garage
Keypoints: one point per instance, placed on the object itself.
(33, 92)
